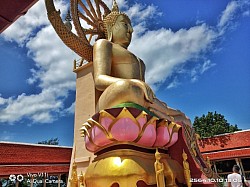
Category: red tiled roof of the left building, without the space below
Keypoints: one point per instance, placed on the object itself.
(21, 158)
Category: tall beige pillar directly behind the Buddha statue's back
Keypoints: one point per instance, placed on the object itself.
(84, 109)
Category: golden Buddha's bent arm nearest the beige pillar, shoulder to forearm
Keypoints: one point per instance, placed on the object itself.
(102, 61)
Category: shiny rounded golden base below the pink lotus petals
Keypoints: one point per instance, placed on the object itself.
(130, 168)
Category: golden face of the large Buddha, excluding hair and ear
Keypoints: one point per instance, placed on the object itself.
(122, 31)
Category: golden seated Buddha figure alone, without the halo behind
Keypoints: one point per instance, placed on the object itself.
(120, 75)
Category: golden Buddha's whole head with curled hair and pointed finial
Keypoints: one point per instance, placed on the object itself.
(117, 26)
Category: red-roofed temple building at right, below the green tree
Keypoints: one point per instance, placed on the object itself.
(226, 150)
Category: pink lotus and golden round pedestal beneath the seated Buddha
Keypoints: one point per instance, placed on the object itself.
(135, 149)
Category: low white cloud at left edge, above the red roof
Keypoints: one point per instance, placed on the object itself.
(31, 106)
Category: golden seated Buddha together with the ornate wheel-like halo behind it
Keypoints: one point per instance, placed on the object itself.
(118, 73)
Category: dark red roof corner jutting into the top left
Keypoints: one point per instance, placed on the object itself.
(11, 10)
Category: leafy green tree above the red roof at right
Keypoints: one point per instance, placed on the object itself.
(212, 124)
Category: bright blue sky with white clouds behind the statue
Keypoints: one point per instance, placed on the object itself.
(196, 52)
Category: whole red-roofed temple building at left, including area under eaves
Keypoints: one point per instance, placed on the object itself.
(31, 164)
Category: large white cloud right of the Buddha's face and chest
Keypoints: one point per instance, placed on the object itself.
(164, 49)
